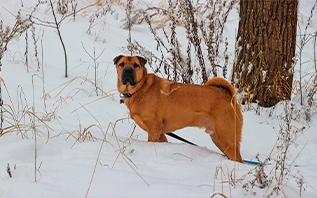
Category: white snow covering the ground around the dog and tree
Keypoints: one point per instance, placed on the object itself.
(86, 145)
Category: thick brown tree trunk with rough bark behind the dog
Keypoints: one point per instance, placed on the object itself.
(266, 43)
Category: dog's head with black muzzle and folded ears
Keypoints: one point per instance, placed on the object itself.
(130, 71)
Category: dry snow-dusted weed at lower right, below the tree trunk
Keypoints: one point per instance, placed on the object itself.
(280, 153)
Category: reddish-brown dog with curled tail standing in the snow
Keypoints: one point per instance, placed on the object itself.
(160, 106)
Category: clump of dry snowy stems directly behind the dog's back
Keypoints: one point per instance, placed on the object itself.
(203, 23)
